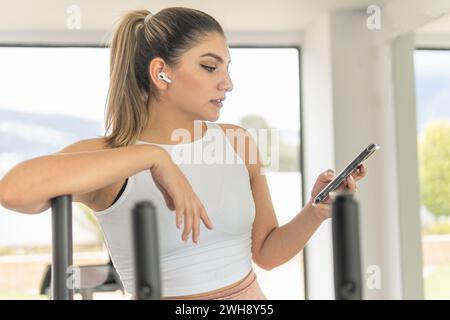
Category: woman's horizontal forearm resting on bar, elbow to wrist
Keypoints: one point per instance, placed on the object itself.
(29, 186)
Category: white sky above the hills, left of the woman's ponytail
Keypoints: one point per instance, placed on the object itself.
(55, 80)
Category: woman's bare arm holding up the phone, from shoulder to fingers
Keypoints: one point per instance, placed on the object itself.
(273, 245)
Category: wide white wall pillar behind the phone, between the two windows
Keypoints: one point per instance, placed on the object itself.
(368, 103)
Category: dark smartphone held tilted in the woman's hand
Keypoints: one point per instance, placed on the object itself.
(336, 182)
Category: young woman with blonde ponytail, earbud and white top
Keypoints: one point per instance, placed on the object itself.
(169, 77)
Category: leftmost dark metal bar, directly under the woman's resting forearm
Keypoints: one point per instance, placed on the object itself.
(62, 250)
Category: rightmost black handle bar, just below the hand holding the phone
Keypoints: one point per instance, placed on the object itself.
(346, 249)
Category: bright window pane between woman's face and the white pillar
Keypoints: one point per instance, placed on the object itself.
(260, 99)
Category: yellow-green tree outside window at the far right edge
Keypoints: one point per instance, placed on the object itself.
(434, 158)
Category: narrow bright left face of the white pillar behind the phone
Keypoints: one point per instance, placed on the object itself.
(318, 146)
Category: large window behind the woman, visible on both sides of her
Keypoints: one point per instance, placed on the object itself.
(53, 96)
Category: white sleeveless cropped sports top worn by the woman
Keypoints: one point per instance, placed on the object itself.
(223, 255)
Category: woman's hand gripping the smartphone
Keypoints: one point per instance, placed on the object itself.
(323, 209)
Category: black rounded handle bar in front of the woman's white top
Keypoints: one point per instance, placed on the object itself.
(146, 252)
